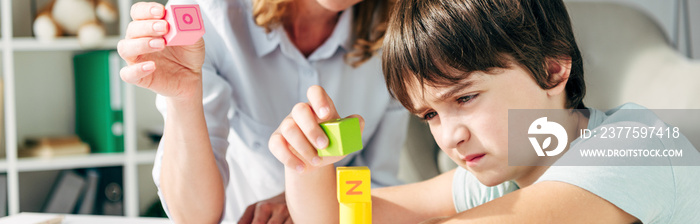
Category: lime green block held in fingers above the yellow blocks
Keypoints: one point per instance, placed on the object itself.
(344, 137)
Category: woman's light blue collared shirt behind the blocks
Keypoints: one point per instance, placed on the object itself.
(252, 79)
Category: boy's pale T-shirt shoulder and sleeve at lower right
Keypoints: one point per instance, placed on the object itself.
(644, 176)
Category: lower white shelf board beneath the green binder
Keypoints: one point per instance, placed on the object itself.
(78, 161)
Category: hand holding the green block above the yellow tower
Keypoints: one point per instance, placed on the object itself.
(298, 137)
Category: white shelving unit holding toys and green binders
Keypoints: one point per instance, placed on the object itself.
(12, 45)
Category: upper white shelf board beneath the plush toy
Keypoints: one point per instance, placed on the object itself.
(60, 44)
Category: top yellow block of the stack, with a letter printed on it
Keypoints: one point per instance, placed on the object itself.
(353, 184)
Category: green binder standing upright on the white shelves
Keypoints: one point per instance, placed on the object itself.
(98, 100)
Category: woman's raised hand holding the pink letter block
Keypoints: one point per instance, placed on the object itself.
(173, 71)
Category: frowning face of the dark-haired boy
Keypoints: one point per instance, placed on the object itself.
(469, 120)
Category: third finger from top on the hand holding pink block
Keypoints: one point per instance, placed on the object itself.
(129, 49)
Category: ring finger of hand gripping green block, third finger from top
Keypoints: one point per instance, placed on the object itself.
(296, 138)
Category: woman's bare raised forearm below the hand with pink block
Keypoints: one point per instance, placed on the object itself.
(190, 179)
